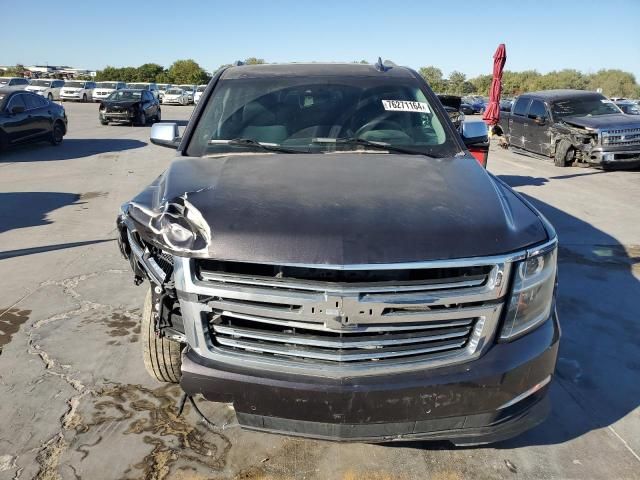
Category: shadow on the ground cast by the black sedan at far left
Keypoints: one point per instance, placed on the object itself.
(69, 149)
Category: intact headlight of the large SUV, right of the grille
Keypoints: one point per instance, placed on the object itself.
(532, 294)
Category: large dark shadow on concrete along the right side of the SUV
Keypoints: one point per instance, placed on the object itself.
(596, 382)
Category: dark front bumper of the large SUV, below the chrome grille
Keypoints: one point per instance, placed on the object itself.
(495, 397)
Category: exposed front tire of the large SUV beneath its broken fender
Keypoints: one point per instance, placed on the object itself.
(161, 356)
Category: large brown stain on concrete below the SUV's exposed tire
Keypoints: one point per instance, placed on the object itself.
(177, 444)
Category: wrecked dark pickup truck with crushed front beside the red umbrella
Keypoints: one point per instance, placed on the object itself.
(574, 127)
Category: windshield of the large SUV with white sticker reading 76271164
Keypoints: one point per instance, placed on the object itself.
(309, 114)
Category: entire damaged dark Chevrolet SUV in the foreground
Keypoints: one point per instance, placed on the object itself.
(325, 254)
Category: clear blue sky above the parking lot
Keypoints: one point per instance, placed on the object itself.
(586, 35)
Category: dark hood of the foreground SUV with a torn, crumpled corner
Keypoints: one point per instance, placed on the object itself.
(336, 209)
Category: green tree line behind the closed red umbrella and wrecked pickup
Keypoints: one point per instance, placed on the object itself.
(614, 83)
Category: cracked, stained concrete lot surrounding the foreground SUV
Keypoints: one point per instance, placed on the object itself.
(76, 403)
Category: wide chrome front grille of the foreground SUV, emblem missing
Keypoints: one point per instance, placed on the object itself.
(342, 321)
